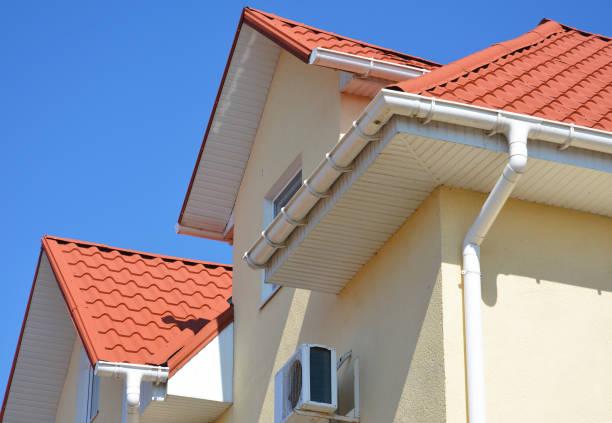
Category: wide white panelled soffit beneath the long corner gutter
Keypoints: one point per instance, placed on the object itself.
(392, 177)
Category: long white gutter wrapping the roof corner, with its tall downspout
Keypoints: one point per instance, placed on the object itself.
(517, 128)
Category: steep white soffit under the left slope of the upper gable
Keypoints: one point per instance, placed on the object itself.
(228, 144)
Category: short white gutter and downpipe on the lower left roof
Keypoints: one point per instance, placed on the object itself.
(134, 375)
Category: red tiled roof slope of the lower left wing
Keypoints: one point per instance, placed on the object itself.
(140, 308)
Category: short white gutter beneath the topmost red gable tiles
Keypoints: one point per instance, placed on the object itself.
(364, 66)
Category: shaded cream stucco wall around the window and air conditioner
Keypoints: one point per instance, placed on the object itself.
(389, 315)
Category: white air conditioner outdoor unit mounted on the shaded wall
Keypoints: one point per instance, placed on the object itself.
(308, 382)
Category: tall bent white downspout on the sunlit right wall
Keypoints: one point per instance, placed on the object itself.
(517, 133)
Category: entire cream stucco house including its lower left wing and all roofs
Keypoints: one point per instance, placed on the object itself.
(445, 228)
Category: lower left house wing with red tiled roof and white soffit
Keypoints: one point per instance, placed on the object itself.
(116, 335)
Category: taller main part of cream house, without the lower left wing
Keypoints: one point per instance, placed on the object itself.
(448, 226)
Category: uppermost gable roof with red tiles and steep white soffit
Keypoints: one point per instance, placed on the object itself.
(225, 149)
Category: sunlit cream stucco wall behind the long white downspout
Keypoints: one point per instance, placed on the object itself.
(547, 311)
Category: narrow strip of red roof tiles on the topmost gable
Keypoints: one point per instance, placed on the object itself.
(301, 39)
